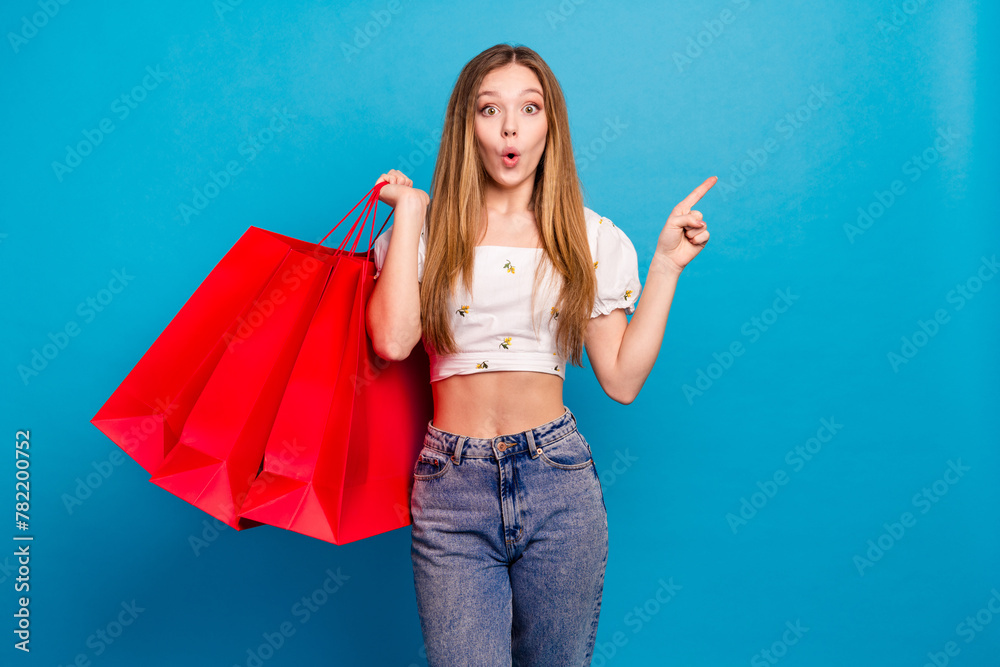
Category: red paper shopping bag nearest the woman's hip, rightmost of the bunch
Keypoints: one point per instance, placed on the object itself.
(339, 462)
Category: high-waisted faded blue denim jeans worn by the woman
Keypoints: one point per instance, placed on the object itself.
(509, 547)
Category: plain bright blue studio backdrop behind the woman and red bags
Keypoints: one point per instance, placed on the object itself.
(780, 224)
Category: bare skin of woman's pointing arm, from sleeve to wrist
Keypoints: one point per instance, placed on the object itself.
(622, 351)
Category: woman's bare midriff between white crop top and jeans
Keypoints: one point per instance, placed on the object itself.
(485, 405)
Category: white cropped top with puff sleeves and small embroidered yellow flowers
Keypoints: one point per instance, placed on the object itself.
(492, 326)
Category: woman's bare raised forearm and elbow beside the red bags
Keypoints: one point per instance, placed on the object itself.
(393, 315)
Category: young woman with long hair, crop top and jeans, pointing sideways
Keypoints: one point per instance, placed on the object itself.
(510, 533)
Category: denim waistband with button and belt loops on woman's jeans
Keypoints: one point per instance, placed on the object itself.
(463, 446)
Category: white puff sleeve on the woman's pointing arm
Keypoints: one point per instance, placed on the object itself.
(617, 266)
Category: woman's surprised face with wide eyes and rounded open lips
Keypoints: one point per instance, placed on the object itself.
(510, 117)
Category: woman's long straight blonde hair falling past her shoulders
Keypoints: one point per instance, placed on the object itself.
(457, 209)
